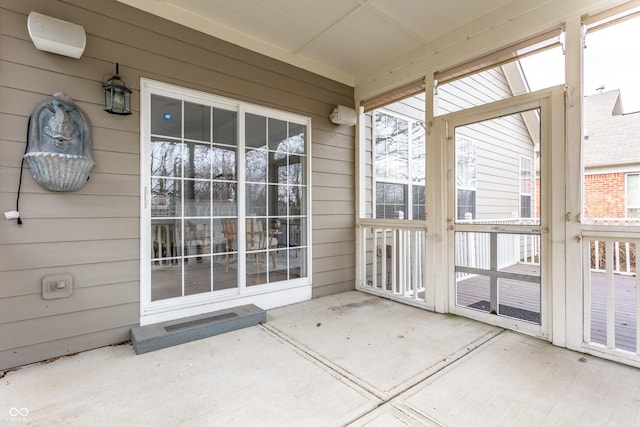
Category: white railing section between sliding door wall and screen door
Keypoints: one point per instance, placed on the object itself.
(393, 259)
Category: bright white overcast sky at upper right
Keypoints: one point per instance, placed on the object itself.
(611, 59)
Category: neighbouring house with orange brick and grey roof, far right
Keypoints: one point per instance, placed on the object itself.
(611, 158)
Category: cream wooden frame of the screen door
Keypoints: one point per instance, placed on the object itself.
(552, 228)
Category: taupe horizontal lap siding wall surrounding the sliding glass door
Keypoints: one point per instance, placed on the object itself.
(93, 233)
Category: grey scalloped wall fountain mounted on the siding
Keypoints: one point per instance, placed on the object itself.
(59, 147)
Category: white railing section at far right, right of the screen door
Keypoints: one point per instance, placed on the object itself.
(611, 299)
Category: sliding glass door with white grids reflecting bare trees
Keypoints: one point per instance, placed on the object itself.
(225, 210)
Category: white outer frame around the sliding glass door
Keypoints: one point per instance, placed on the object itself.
(265, 296)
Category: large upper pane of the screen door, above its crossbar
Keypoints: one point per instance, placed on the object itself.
(488, 170)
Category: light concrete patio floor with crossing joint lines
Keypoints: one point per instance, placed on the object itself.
(347, 359)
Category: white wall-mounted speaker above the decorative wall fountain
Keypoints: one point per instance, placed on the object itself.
(56, 36)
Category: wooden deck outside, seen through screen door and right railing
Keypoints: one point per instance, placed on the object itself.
(521, 300)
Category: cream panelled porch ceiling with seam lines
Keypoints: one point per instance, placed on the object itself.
(339, 39)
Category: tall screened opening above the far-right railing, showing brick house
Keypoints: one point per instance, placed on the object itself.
(611, 117)
